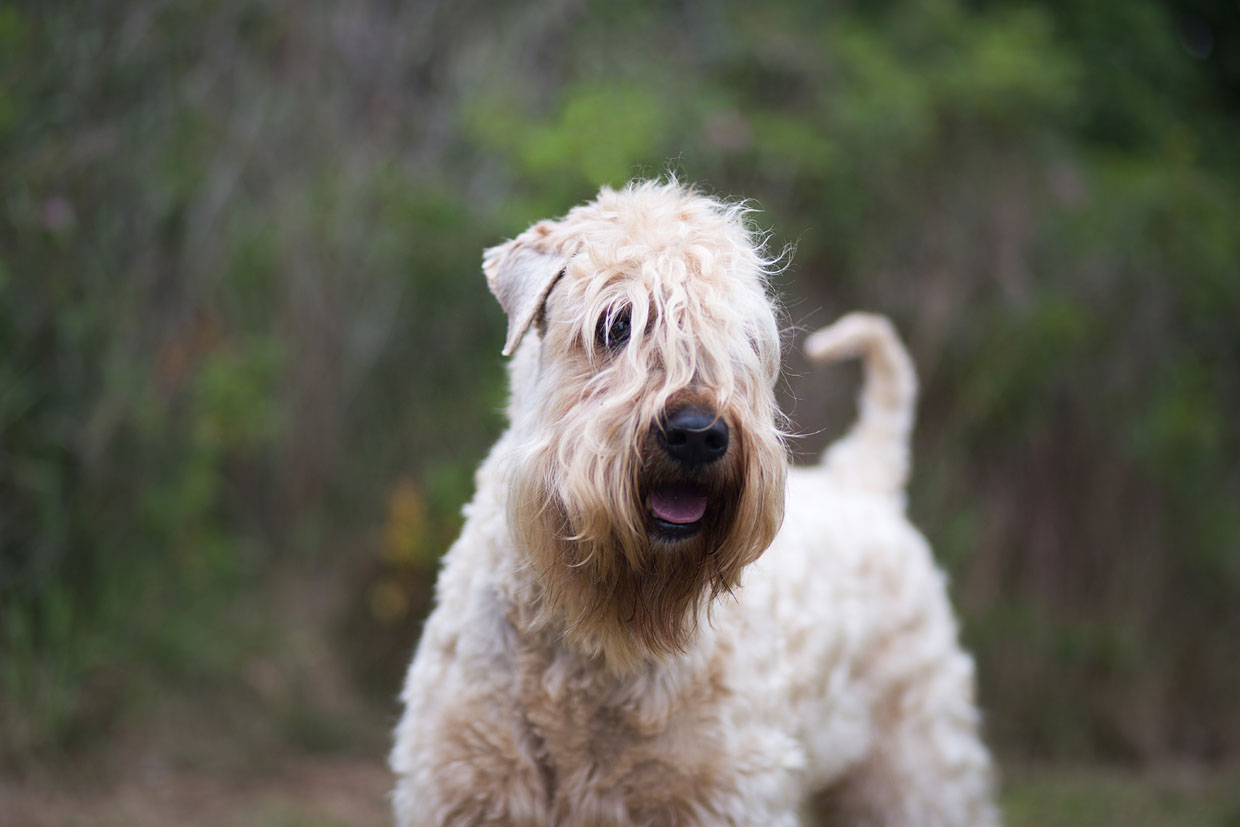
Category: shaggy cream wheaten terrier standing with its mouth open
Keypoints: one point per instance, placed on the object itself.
(624, 633)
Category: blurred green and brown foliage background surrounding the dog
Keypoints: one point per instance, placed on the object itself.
(249, 361)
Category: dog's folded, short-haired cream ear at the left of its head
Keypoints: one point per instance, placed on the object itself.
(521, 273)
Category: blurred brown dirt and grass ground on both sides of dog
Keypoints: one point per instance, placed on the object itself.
(339, 792)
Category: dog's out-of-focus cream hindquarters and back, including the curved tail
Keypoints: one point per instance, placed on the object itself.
(862, 640)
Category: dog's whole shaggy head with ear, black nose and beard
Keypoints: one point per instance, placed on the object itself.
(648, 467)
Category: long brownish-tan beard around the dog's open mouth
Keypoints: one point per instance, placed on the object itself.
(604, 576)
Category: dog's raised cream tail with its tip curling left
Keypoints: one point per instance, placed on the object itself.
(876, 452)
